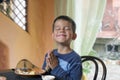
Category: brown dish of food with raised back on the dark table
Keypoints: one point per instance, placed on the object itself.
(25, 67)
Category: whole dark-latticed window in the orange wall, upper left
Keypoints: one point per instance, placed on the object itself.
(16, 10)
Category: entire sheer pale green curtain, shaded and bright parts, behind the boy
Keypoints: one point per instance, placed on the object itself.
(88, 15)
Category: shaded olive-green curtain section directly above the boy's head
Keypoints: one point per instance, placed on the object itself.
(64, 7)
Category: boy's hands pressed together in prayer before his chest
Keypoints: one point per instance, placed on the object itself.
(52, 60)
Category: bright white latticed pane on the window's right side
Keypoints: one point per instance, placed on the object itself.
(19, 12)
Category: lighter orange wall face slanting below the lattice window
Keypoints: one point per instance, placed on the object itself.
(18, 41)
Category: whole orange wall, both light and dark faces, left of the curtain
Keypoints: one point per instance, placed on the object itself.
(31, 45)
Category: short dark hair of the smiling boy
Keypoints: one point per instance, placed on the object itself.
(63, 17)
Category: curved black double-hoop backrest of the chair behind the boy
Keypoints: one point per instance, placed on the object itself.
(96, 61)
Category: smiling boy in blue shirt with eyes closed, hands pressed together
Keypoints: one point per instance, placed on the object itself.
(63, 62)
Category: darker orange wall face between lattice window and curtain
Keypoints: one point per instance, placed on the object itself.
(40, 18)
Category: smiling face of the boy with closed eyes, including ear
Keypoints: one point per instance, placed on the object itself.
(63, 32)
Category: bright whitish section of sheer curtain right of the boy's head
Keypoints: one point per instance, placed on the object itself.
(88, 17)
